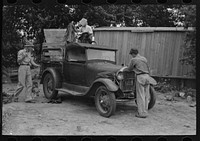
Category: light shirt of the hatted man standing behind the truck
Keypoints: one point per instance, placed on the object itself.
(24, 57)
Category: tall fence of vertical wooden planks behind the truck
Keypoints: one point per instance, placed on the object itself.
(162, 46)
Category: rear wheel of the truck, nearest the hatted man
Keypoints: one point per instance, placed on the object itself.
(49, 85)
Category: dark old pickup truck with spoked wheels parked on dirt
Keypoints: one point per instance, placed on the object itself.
(83, 69)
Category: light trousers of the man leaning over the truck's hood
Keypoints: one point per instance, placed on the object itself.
(142, 94)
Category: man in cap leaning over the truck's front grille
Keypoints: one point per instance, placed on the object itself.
(139, 65)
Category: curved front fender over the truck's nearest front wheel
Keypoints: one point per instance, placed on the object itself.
(110, 85)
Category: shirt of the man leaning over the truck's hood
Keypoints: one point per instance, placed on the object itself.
(138, 65)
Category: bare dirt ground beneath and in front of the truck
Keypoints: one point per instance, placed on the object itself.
(78, 116)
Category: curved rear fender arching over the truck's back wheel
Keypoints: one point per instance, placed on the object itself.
(56, 75)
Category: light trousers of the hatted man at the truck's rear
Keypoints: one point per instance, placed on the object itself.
(24, 82)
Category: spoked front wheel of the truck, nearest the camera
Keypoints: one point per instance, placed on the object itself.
(105, 101)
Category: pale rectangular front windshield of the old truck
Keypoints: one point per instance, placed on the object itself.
(94, 54)
